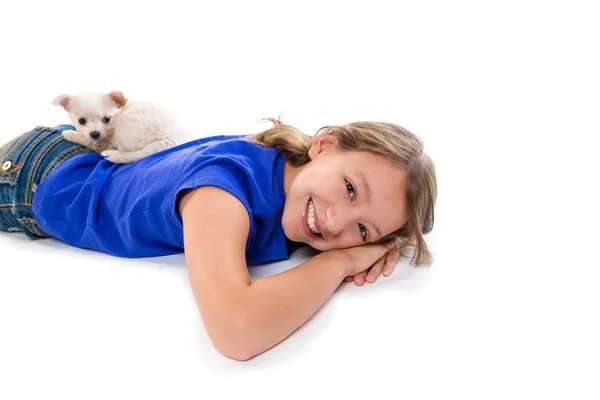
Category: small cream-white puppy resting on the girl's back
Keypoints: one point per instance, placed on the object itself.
(121, 130)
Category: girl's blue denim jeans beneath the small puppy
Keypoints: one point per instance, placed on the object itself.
(24, 162)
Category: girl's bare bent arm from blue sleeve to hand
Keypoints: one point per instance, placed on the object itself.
(245, 318)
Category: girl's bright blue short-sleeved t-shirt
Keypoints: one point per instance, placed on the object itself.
(129, 210)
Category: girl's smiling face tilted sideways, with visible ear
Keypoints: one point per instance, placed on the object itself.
(348, 197)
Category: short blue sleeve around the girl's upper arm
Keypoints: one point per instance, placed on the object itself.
(225, 177)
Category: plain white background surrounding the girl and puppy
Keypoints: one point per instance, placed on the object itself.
(505, 96)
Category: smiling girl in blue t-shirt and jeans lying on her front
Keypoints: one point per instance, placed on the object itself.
(360, 193)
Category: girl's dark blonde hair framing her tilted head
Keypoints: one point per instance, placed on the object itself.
(391, 141)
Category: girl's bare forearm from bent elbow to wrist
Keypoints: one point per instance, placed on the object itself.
(277, 305)
